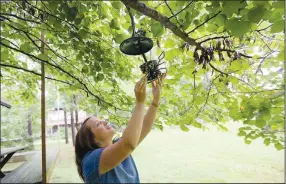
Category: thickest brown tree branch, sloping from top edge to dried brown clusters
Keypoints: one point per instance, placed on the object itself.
(145, 10)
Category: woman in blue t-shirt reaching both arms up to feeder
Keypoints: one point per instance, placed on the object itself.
(98, 158)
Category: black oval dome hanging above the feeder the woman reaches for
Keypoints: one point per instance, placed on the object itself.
(136, 45)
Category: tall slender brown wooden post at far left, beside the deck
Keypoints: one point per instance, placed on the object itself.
(43, 110)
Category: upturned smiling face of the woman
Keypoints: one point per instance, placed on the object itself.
(101, 129)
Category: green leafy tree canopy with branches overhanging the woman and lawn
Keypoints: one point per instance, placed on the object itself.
(224, 58)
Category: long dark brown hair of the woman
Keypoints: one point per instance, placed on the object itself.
(84, 142)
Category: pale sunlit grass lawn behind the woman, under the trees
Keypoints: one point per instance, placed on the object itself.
(194, 156)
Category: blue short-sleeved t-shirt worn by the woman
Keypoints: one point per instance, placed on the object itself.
(125, 172)
